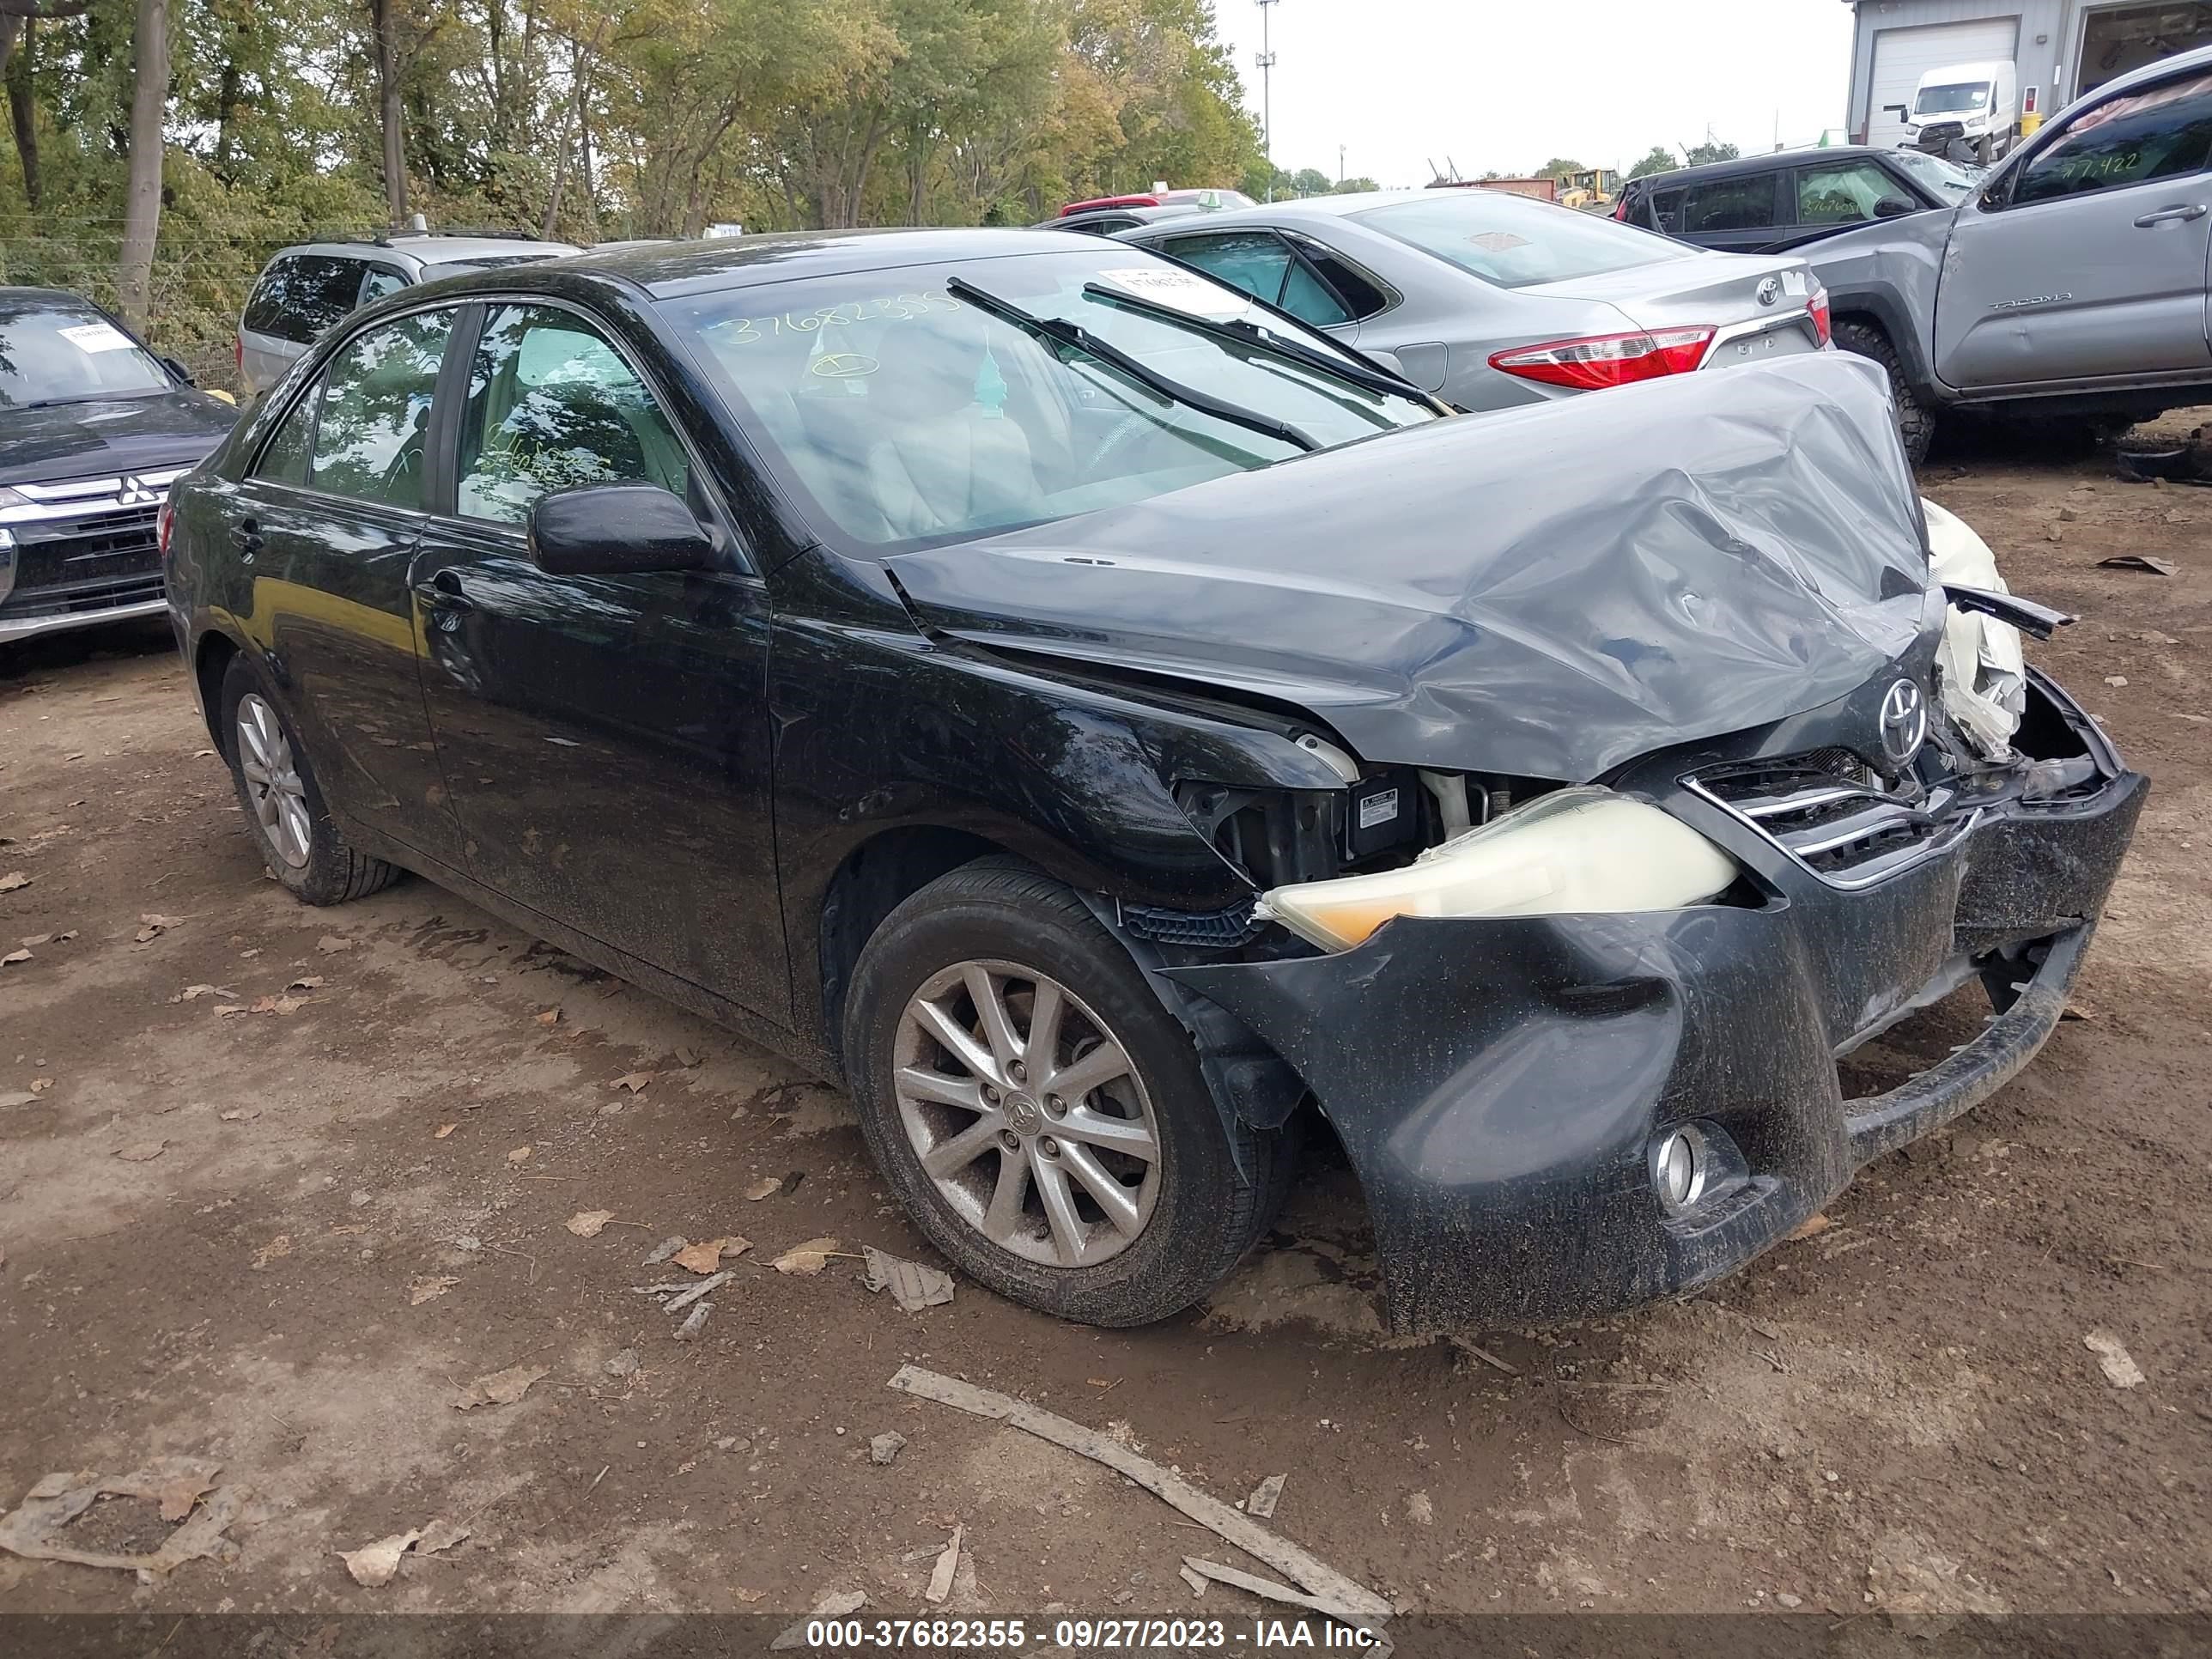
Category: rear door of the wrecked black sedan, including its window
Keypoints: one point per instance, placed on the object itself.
(328, 521)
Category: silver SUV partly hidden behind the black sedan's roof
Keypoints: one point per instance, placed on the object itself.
(309, 289)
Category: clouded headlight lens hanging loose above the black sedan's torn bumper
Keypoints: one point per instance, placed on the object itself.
(1569, 853)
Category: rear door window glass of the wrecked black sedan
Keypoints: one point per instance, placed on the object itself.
(375, 413)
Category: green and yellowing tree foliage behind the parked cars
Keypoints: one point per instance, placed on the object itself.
(601, 121)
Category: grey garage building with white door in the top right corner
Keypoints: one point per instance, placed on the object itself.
(2060, 48)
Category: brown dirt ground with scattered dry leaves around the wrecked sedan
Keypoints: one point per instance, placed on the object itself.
(286, 1222)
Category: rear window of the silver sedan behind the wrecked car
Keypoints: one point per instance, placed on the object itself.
(1514, 242)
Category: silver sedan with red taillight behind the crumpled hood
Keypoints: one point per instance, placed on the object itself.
(1494, 300)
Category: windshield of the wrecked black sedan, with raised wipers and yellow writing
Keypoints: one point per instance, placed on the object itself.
(910, 415)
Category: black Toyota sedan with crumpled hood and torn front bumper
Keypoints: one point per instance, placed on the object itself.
(1105, 722)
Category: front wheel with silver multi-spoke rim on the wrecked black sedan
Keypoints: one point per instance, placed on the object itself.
(1039, 1112)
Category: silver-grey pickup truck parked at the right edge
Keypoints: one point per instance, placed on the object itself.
(2072, 284)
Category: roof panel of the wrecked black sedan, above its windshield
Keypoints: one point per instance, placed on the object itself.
(773, 258)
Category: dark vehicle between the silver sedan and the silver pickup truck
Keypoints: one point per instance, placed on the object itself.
(1773, 202)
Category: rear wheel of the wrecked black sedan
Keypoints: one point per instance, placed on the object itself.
(282, 800)
